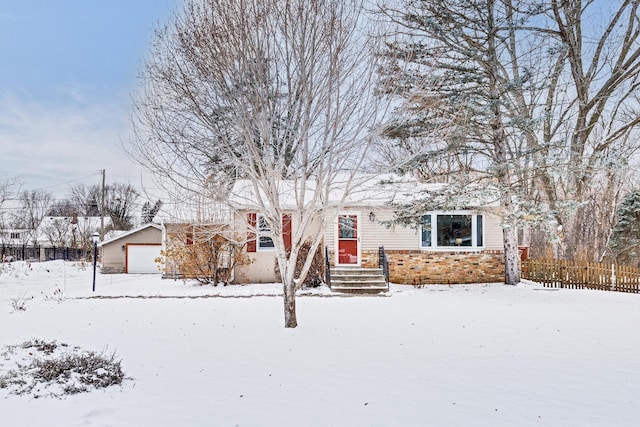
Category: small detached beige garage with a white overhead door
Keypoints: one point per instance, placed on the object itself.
(134, 251)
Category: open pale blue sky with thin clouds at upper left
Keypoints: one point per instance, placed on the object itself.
(68, 69)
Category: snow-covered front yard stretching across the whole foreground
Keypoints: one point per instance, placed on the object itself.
(473, 355)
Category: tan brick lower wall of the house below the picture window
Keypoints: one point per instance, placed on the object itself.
(420, 267)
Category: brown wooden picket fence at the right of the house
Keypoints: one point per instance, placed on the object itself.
(582, 275)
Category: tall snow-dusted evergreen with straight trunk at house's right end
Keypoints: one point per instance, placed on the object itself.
(450, 64)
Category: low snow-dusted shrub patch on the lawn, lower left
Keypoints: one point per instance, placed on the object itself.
(46, 368)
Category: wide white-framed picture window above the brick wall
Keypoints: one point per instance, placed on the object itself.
(452, 230)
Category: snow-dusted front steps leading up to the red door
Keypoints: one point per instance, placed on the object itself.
(358, 280)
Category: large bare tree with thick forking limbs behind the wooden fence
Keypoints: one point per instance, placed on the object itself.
(593, 117)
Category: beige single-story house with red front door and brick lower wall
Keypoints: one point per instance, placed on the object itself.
(450, 246)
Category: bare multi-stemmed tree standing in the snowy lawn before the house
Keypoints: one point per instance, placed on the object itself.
(277, 93)
